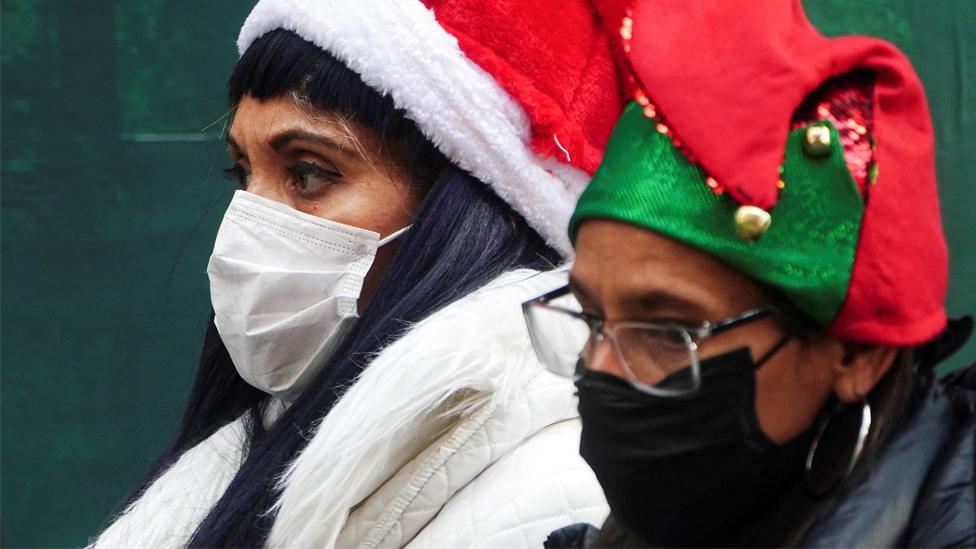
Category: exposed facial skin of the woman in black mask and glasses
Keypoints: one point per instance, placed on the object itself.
(623, 272)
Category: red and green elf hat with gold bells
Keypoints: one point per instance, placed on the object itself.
(803, 161)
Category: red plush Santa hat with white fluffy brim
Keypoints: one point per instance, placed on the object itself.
(522, 95)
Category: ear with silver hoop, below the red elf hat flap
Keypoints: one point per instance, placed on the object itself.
(860, 368)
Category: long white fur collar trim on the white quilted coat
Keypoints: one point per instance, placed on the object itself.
(473, 355)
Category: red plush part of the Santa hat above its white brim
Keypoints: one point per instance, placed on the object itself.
(553, 58)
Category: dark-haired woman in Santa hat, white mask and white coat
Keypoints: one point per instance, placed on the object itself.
(366, 380)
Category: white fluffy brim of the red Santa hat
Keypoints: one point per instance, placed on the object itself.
(399, 49)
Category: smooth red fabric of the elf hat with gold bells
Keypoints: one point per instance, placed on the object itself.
(728, 77)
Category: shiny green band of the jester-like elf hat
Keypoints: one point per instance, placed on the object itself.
(808, 250)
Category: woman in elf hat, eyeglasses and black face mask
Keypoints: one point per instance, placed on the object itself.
(757, 298)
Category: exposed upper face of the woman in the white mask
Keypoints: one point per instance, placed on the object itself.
(324, 165)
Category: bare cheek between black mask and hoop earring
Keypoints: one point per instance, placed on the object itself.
(791, 389)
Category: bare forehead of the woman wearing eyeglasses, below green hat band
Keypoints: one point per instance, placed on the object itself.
(618, 261)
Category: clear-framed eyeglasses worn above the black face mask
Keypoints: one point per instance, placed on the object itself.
(657, 358)
